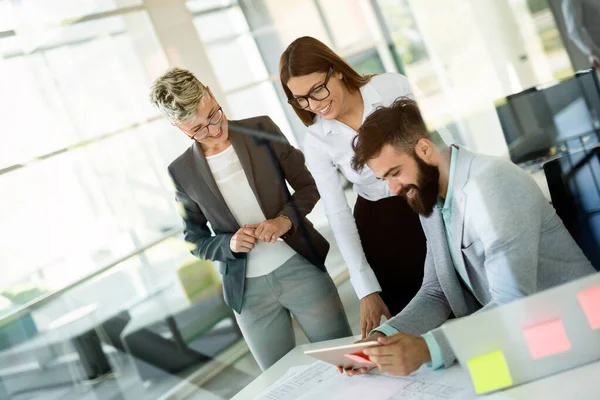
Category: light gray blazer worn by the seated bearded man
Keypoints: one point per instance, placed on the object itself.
(512, 242)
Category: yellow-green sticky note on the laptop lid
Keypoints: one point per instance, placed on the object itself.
(489, 372)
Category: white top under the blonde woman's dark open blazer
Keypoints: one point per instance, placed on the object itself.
(239, 197)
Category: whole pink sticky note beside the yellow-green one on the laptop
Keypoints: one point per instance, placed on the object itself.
(546, 339)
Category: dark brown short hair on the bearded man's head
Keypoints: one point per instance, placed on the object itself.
(399, 125)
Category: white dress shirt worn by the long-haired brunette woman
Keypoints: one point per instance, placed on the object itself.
(328, 148)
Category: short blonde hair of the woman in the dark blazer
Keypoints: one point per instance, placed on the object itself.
(177, 93)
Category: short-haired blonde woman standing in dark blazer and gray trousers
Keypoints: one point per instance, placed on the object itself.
(238, 185)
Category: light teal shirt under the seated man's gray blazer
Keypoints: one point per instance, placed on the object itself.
(445, 207)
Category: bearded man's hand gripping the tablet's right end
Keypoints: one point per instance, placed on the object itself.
(399, 354)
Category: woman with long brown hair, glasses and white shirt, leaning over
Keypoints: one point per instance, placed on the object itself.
(383, 244)
